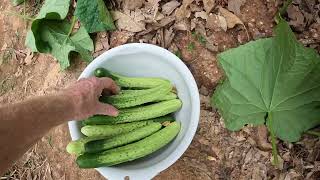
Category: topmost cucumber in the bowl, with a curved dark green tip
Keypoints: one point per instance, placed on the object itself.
(130, 82)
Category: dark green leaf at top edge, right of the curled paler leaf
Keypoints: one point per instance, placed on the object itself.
(94, 15)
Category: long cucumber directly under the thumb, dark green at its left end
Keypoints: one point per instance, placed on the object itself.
(137, 113)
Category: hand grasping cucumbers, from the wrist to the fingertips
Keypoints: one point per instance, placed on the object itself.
(85, 94)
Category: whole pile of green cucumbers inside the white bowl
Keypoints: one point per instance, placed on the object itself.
(143, 126)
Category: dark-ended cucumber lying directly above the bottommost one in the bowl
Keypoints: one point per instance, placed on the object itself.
(122, 139)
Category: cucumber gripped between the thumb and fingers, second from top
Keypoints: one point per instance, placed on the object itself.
(142, 97)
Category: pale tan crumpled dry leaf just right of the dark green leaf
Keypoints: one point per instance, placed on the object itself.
(131, 21)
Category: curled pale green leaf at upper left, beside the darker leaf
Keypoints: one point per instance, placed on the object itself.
(49, 34)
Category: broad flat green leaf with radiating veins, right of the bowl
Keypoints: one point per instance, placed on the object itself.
(274, 81)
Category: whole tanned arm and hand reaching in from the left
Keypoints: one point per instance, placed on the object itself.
(22, 124)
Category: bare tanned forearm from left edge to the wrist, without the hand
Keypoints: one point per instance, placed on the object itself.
(24, 123)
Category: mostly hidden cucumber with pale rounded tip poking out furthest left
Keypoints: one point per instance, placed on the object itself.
(77, 147)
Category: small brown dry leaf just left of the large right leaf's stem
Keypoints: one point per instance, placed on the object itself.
(261, 138)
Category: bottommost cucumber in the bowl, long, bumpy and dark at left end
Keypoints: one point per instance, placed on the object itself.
(132, 151)
